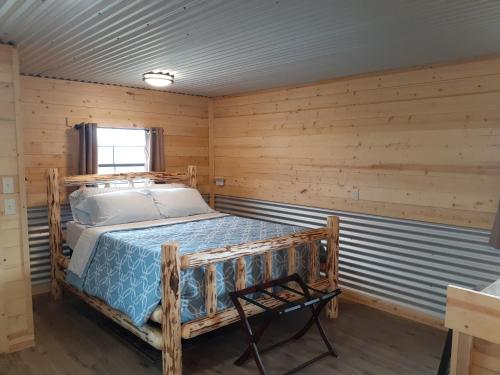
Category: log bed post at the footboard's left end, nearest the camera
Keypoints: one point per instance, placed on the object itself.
(171, 309)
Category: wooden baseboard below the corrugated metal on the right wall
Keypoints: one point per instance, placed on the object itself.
(392, 308)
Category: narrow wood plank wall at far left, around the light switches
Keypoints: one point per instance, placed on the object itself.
(16, 318)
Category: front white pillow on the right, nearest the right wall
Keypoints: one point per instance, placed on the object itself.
(180, 202)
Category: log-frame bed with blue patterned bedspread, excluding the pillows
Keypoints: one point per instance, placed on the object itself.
(188, 265)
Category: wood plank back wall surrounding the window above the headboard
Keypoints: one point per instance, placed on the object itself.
(51, 107)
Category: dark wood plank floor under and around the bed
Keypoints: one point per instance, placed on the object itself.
(73, 339)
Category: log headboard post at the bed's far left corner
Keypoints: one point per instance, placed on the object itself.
(55, 233)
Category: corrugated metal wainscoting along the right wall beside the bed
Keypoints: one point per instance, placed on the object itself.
(406, 262)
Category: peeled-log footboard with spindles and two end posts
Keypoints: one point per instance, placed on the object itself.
(173, 330)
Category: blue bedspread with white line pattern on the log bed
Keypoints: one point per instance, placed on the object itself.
(124, 269)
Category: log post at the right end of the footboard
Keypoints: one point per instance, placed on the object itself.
(332, 261)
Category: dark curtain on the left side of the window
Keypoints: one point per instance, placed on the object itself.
(87, 148)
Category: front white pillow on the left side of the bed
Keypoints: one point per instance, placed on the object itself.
(119, 207)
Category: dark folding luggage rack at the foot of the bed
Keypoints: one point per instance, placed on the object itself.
(315, 301)
